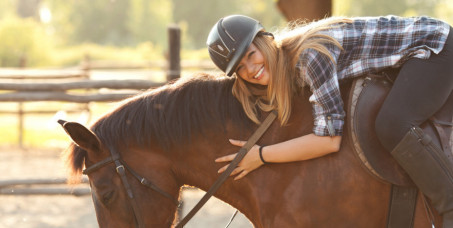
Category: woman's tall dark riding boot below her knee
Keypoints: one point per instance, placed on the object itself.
(430, 170)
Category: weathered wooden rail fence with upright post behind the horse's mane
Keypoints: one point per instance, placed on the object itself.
(76, 86)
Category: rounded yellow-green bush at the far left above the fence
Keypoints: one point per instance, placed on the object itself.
(23, 39)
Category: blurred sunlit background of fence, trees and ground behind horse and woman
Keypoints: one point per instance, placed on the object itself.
(112, 49)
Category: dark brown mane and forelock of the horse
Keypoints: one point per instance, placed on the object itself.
(169, 115)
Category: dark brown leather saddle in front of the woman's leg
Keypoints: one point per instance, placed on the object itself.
(366, 97)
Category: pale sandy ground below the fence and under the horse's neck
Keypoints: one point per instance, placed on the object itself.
(67, 211)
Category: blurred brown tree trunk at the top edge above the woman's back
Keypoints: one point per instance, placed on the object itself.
(305, 9)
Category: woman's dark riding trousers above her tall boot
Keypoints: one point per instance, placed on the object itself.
(419, 91)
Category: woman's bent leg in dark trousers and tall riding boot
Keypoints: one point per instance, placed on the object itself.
(420, 90)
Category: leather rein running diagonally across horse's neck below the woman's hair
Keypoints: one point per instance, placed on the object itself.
(240, 155)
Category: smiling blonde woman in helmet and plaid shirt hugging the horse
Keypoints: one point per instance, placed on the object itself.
(321, 54)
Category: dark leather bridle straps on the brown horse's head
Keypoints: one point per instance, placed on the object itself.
(121, 168)
